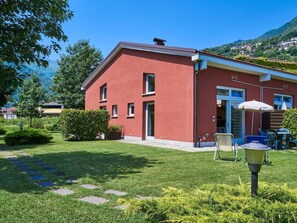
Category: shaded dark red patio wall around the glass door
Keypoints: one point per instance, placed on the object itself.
(212, 77)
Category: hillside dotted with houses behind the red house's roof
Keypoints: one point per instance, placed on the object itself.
(276, 44)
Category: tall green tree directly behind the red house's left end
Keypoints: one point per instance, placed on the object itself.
(74, 68)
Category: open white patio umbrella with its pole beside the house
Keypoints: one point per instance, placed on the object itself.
(255, 106)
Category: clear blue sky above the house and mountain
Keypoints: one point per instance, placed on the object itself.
(186, 23)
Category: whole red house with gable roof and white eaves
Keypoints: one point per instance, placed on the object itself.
(176, 95)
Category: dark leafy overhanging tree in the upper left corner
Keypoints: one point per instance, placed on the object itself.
(24, 25)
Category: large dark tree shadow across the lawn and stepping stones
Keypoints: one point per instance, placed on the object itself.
(101, 167)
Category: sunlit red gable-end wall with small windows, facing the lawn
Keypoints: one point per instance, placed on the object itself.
(173, 98)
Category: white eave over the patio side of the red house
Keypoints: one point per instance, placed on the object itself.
(265, 74)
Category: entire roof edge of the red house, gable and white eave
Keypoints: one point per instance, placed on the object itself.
(212, 59)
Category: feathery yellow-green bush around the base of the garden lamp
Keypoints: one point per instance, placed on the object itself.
(219, 203)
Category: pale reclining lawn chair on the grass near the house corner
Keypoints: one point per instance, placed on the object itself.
(225, 142)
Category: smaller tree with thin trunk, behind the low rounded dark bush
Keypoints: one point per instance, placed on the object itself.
(31, 94)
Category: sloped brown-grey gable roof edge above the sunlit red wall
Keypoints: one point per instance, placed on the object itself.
(176, 51)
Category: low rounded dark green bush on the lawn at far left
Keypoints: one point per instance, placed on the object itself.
(26, 137)
